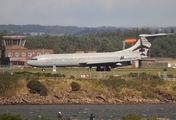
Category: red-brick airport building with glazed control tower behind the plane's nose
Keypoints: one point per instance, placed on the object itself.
(14, 53)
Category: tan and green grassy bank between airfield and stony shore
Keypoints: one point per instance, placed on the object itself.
(142, 84)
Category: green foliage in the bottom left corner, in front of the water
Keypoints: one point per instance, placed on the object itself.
(10, 116)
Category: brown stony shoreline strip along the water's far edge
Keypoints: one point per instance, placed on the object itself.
(36, 99)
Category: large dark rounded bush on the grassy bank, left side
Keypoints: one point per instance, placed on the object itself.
(37, 87)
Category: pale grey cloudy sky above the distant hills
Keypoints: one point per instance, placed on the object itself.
(89, 13)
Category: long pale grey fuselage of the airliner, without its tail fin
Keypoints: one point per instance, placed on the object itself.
(85, 59)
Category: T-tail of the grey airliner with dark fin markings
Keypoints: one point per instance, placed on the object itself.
(143, 45)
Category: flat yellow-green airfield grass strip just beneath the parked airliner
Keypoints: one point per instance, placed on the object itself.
(121, 71)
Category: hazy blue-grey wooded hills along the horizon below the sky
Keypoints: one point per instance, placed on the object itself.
(33, 30)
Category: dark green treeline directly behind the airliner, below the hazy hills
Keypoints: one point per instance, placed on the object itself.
(102, 42)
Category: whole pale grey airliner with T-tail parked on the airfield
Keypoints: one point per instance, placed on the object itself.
(102, 61)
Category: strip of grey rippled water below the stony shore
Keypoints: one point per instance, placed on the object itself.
(100, 111)
